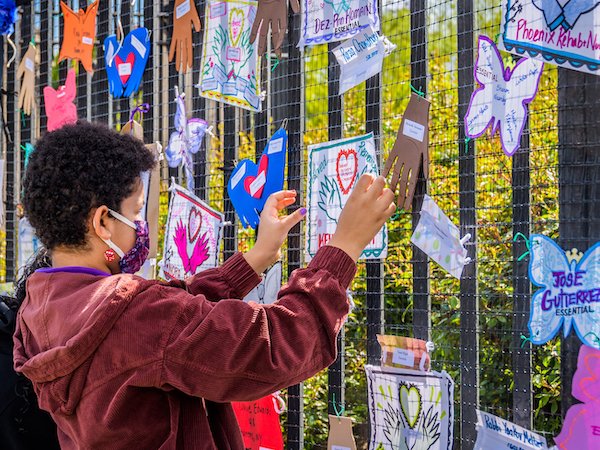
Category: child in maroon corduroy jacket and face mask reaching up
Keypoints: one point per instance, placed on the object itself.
(120, 361)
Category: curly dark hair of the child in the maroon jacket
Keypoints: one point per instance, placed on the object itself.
(74, 169)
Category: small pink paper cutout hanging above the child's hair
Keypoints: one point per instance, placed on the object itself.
(60, 109)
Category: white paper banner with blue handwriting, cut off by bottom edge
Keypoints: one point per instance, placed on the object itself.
(494, 433)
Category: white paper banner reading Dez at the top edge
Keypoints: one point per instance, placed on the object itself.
(336, 20)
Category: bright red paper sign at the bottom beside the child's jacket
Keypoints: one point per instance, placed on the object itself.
(259, 423)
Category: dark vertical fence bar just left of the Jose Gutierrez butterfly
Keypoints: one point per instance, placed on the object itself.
(521, 356)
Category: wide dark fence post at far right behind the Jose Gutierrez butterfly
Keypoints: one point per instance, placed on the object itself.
(579, 195)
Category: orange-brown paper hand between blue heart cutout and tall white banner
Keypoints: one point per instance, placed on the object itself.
(185, 16)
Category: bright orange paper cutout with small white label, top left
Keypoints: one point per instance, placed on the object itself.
(79, 34)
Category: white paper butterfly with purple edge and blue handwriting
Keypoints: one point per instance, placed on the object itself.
(500, 100)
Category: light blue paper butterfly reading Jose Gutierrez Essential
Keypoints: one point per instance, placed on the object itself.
(570, 292)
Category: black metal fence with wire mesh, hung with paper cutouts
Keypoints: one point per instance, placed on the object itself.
(550, 186)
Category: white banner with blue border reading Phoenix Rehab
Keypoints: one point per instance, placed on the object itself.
(565, 33)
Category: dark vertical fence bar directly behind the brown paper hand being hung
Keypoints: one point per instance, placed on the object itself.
(418, 69)
